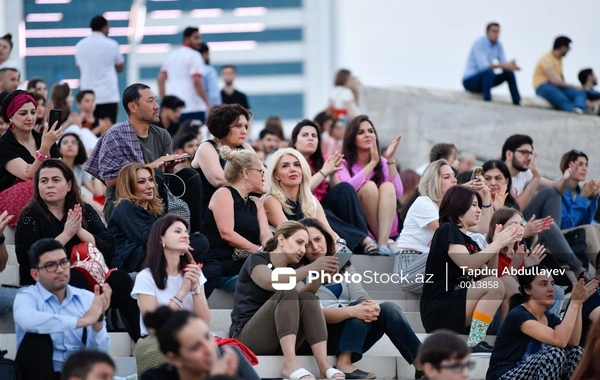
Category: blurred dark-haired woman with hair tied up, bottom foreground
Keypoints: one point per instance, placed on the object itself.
(191, 350)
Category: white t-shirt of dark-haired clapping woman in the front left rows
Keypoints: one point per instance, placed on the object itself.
(144, 284)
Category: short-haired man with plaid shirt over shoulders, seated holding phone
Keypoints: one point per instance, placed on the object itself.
(139, 140)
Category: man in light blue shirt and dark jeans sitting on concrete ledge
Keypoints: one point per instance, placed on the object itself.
(486, 55)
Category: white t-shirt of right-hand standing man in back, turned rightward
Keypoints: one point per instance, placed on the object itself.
(183, 63)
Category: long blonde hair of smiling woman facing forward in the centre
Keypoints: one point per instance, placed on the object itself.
(305, 198)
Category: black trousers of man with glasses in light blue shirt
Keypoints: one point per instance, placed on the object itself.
(34, 357)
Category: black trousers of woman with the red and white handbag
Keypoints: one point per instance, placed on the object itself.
(121, 284)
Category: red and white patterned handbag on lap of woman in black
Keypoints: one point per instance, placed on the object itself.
(88, 260)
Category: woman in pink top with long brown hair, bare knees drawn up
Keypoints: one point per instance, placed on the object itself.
(374, 177)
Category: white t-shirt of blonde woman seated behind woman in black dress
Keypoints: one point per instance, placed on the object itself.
(416, 233)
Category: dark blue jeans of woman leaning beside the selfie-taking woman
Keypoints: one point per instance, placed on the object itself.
(356, 336)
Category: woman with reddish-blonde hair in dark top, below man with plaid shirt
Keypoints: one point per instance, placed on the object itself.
(138, 206)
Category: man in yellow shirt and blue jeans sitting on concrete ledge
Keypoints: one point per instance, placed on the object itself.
(549, 82)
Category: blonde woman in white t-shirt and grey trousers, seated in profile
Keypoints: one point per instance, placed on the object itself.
(422, 220)
